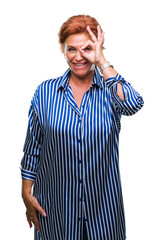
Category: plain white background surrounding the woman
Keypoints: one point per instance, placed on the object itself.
(30, 54)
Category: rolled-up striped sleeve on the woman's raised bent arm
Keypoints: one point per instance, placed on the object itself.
(132, 102)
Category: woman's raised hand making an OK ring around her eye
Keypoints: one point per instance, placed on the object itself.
(92, 50)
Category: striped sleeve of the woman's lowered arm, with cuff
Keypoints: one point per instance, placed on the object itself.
(33, 143)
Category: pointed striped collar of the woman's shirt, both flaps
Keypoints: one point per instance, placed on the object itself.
(97, 79)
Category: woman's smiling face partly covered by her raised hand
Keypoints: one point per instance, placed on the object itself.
(79, 65)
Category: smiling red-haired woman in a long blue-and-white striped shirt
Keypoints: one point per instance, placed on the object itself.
(71, 183)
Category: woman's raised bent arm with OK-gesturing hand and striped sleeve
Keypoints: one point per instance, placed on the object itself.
(127, 100)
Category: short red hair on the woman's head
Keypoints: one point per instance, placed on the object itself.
(76, 24)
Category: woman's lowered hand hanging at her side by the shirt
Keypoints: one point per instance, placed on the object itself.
(32, 206)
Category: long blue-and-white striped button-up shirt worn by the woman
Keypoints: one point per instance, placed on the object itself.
(71, 154)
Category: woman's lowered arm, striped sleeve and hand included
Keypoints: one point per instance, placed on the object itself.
(30, 163)
